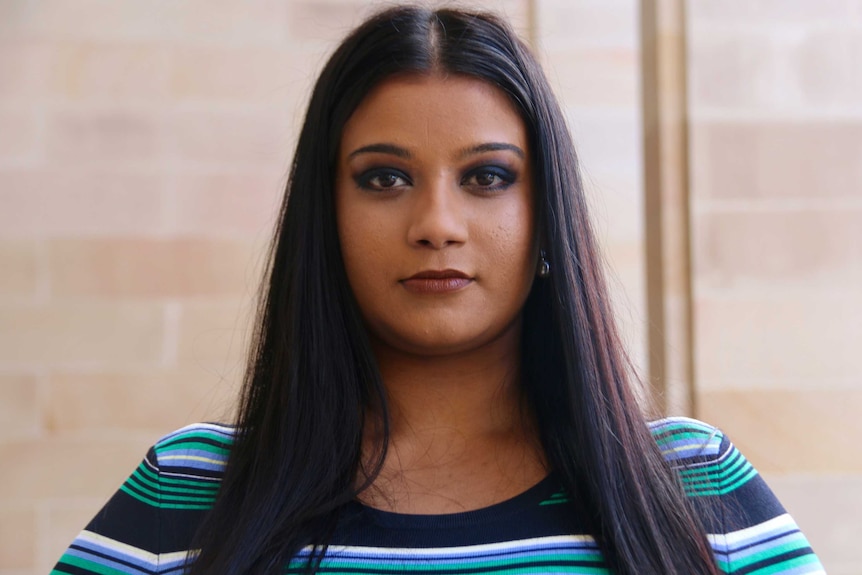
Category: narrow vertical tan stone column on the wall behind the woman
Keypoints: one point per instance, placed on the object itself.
(666, 212)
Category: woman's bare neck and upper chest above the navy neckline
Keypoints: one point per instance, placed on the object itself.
(460, 436)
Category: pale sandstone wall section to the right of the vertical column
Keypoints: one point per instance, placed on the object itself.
(775, 101)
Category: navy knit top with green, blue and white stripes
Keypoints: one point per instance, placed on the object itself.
(146, 528)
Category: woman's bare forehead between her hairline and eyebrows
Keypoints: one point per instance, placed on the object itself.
(420, 110)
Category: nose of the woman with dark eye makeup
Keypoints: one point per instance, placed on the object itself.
(438, 217)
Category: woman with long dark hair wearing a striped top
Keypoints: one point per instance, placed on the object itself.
(436, 383)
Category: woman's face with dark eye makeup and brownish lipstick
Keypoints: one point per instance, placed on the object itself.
(434, 201)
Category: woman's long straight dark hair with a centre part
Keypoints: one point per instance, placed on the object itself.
(312, 374)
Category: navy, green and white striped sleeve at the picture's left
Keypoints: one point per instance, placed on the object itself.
(148, 526)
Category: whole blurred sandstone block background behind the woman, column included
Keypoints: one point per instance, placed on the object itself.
(143, 151)
